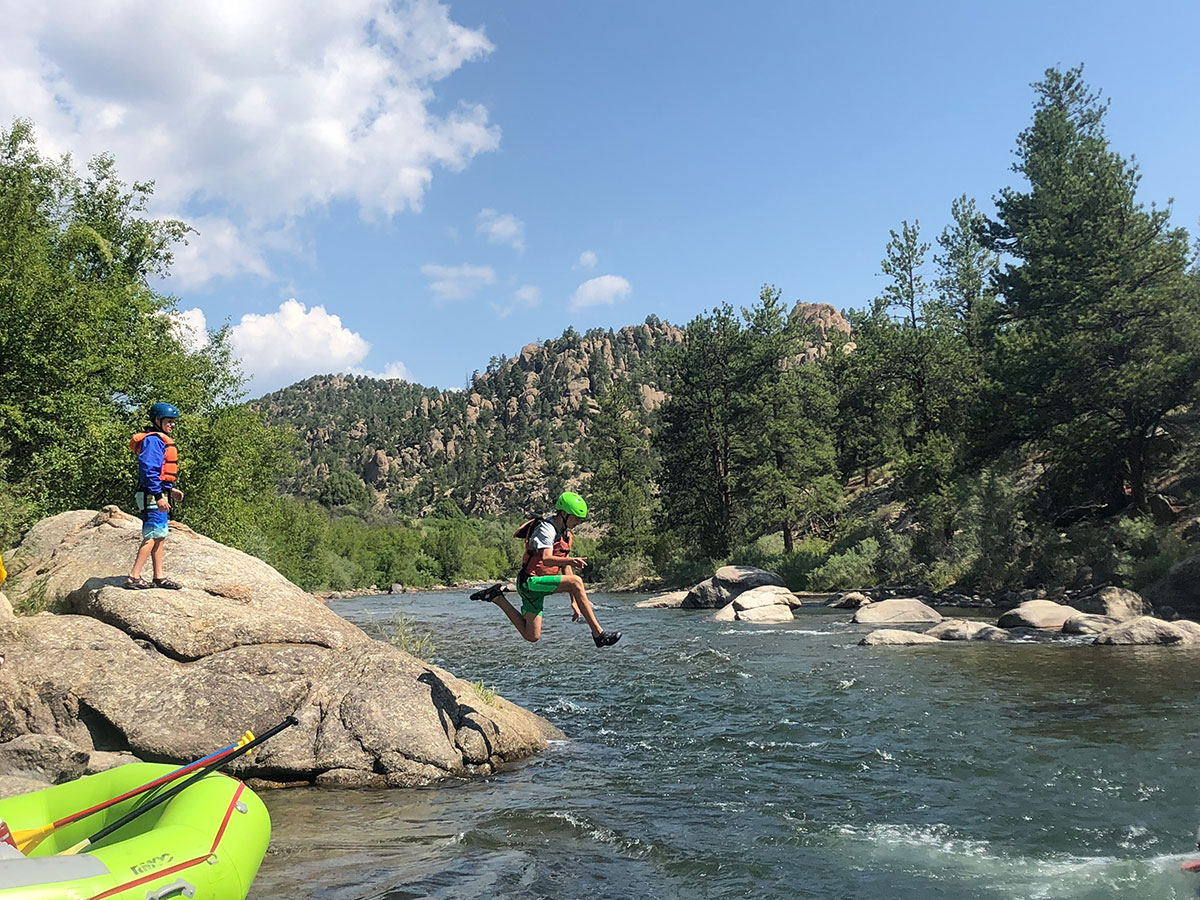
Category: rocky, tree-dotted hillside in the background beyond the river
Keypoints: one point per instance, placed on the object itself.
(491, 447)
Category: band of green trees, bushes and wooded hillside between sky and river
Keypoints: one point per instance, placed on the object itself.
(1015, 409)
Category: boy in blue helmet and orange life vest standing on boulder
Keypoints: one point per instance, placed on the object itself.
(158, 470)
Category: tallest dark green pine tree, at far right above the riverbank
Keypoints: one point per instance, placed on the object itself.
(1101, 333)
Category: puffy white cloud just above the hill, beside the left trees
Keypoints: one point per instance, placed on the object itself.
(295, 343)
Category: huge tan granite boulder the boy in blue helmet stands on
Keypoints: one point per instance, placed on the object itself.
(173, 675)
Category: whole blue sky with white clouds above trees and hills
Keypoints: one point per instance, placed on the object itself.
(412, 189)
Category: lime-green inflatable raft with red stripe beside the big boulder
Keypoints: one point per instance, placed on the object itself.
(205, 844)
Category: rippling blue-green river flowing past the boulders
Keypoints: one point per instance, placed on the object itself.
(727, 760)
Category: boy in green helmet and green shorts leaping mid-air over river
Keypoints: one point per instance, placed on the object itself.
(547, 569)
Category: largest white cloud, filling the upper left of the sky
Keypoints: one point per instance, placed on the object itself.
(261, 112)
